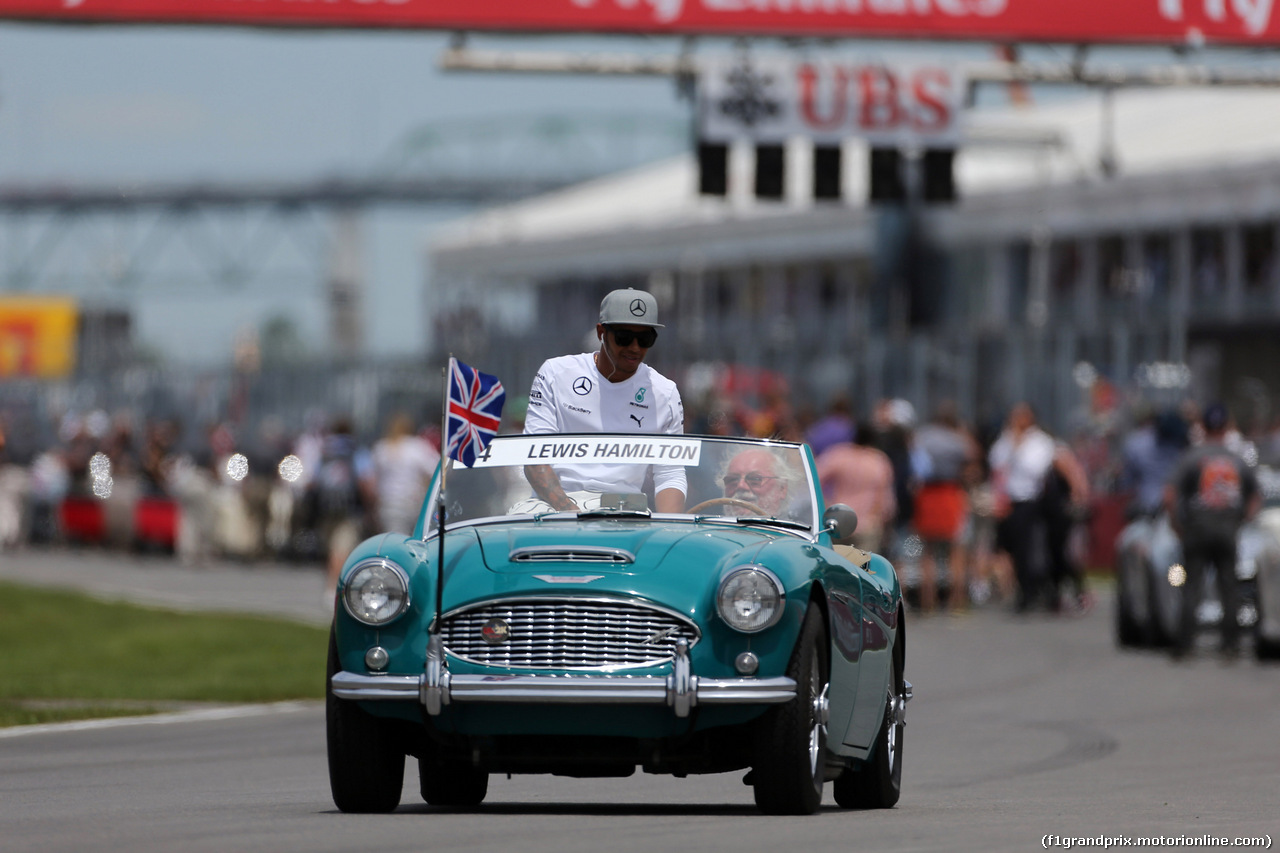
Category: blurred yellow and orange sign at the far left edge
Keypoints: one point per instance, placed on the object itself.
(38, 336)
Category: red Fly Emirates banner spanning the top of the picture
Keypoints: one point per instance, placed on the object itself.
(1233, 22)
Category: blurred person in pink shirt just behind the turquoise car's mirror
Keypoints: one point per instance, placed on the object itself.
(862, 477)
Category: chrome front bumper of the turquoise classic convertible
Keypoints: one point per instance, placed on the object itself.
(682, 691)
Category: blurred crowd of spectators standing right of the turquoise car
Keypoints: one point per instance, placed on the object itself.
(990, 513)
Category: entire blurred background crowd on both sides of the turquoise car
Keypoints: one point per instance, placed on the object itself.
(971, 514)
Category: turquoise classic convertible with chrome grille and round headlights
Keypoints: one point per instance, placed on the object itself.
(738, 635)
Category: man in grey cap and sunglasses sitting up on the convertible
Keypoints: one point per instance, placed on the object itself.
(610, 391)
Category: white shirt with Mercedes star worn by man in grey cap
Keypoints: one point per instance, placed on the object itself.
(570, 396)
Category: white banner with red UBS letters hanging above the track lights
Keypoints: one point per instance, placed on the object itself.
(828, 102)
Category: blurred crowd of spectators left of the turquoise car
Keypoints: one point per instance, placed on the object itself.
(308, 496)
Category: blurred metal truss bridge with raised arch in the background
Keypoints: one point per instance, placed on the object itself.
(113, 243)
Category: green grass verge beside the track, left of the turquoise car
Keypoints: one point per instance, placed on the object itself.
(67, 656)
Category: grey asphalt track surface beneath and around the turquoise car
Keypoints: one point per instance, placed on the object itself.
(1022, 728)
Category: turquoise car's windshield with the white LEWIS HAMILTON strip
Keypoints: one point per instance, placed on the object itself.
(735, 480)
